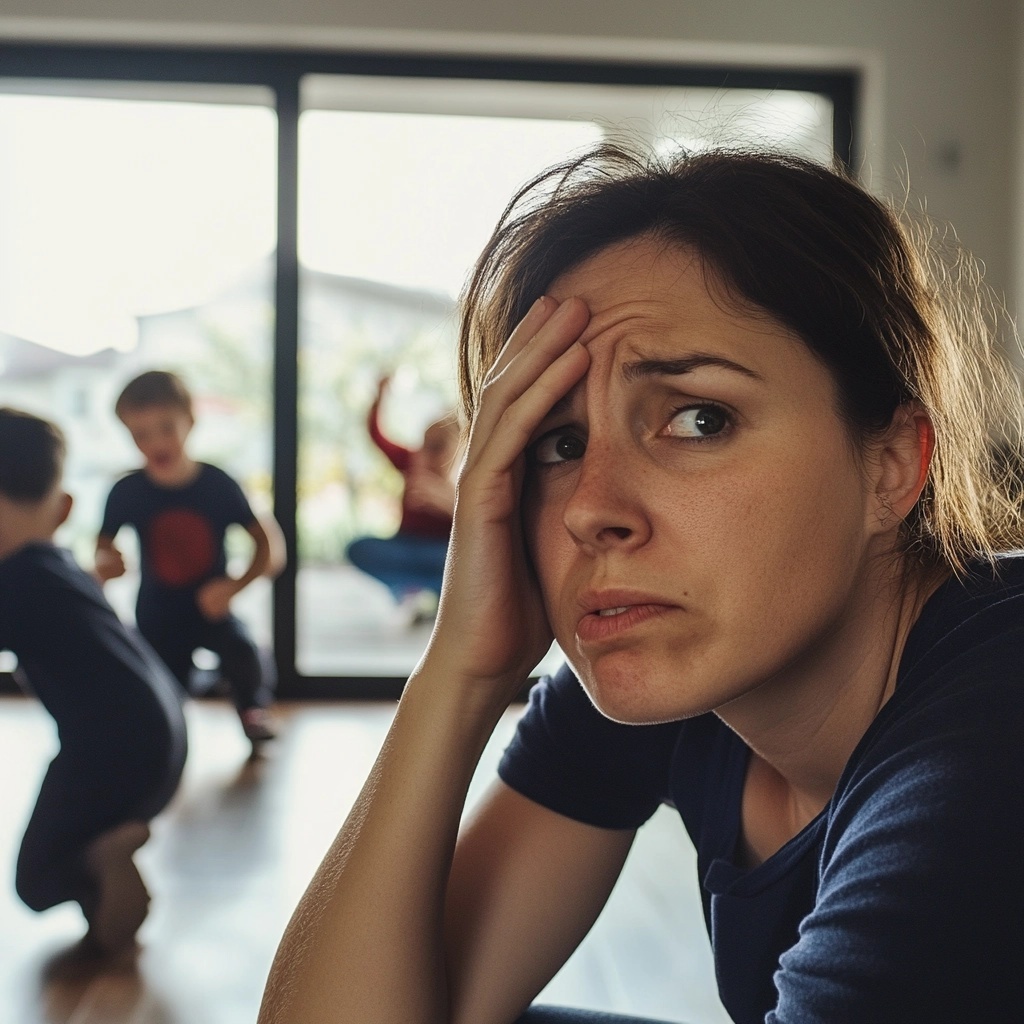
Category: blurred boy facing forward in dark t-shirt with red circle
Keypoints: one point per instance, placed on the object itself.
(182, 510)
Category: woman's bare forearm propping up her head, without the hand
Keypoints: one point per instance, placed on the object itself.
(365, 945)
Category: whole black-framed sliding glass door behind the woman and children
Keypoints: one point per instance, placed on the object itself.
(286, 231)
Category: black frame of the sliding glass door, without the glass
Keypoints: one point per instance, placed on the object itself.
(282, 72)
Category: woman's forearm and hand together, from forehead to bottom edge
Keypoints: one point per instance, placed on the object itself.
(366, 945)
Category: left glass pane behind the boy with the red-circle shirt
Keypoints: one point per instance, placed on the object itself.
(139, 235)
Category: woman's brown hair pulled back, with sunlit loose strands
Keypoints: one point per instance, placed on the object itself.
(810, 247)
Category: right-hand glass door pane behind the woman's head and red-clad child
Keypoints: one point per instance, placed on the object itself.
(401, 184)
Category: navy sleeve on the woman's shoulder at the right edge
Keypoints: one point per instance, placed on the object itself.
(921, 902)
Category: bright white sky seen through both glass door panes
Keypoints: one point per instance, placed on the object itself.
(115, 208)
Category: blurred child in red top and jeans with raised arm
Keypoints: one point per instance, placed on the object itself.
(412, 563)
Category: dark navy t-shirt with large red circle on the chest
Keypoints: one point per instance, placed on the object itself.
(181, 530)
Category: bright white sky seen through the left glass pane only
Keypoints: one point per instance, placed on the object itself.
(114, 208)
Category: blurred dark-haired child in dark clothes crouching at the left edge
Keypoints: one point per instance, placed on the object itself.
(117, 709)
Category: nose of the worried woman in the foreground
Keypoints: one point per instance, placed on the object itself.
(606, 509)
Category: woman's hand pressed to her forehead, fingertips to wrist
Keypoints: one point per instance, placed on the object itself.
(491, 624)
